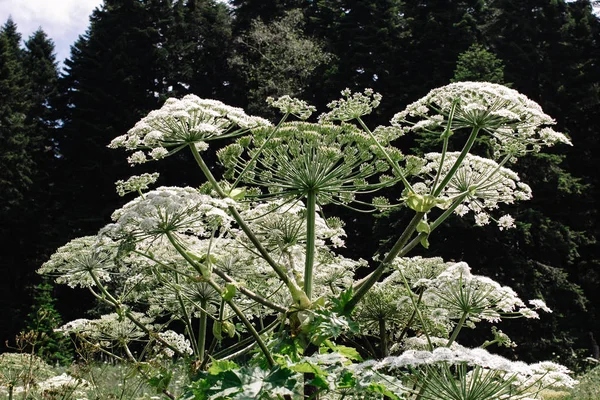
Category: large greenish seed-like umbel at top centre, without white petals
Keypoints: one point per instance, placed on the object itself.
(335, 163)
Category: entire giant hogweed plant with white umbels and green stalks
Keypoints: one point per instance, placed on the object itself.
(241, 277)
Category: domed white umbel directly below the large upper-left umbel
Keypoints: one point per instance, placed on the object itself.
(168, 209)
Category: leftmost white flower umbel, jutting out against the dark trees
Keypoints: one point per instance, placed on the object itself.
(81, 261)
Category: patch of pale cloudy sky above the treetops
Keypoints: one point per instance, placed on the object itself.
(62, 20)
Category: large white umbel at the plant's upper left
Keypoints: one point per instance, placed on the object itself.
(180, 123)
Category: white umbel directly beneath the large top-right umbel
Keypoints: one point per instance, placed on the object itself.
(479, 182)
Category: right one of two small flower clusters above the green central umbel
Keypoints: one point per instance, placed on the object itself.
(351, 106)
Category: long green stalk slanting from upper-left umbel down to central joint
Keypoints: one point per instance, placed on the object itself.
(297, 294)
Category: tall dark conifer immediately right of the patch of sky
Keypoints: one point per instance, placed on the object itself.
(113, 77)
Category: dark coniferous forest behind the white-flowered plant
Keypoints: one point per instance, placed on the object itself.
(57, 175)
